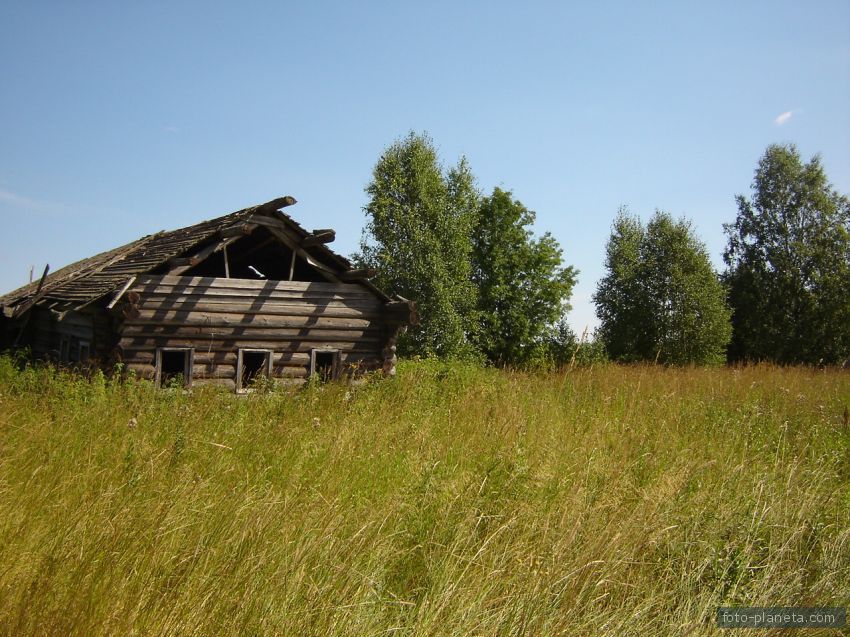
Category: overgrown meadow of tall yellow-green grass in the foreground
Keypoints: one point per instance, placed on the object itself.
(450, 500)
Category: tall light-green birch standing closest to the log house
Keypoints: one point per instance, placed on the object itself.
(419, 221)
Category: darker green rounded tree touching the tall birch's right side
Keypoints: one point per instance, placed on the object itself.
(523, 288)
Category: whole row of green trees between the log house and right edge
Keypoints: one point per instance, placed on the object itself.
(488, 289)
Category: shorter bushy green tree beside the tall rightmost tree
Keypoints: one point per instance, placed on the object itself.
(660, 298)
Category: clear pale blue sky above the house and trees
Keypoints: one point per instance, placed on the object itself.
(119, 119)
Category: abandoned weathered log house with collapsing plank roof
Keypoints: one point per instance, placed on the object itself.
(233, 301)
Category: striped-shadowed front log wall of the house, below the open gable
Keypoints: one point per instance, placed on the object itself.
(216, 317)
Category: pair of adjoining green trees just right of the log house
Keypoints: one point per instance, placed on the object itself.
(484, 285)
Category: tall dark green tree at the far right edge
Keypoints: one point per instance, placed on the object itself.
(788, 264)
